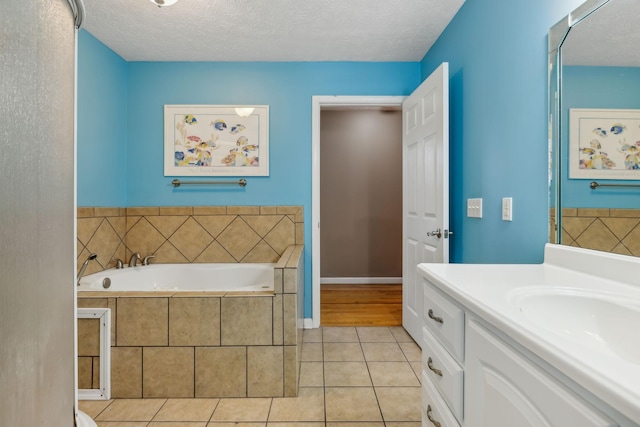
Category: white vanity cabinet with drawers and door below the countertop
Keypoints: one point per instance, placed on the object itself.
(473, 378)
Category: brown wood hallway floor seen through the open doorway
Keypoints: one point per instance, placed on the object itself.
(361, 305)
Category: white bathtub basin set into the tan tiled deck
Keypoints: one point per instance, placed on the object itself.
(228, 277)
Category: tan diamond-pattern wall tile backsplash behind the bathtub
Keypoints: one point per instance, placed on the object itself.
(186, 234)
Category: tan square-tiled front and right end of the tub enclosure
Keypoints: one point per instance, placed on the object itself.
(205, 344)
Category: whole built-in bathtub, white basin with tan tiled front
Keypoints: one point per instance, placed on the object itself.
(227, 336)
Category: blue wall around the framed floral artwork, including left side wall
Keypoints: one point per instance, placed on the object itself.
(286, 87)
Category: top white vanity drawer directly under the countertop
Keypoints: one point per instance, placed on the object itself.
(444, 319)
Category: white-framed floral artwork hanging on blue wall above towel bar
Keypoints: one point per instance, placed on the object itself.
(205, 140)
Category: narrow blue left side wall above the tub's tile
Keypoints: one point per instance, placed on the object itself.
(102, 124)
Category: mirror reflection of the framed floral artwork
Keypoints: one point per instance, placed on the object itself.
(604, 144)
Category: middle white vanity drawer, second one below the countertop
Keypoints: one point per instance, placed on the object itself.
(444, 372)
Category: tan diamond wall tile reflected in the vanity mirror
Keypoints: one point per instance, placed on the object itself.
(603, 229)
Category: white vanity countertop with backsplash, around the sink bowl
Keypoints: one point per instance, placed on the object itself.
(492, 293)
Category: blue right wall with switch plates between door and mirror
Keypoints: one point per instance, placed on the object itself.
(497, 54)
